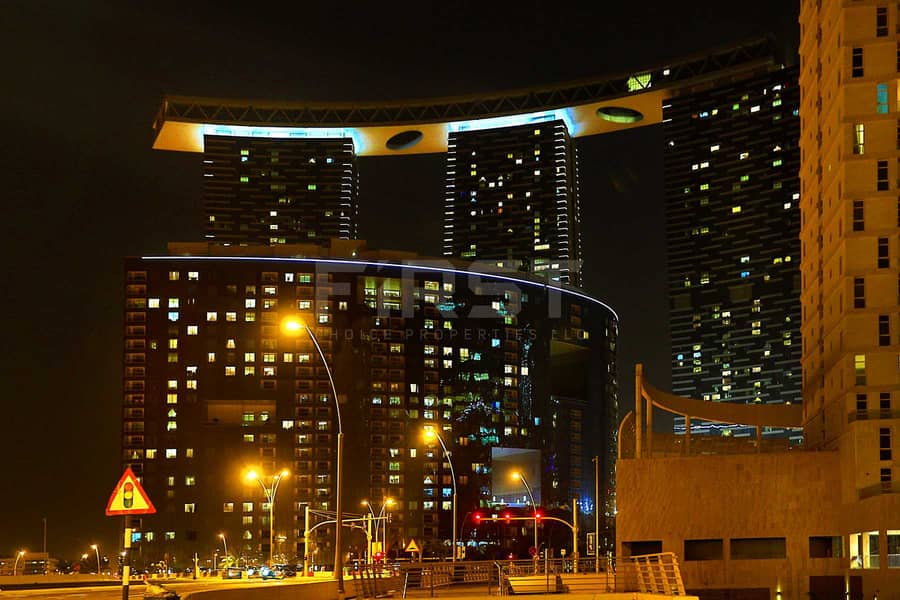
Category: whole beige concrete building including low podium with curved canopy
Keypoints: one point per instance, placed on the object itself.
(822, 520)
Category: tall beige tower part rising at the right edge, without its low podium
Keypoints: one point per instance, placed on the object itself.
(850, 136)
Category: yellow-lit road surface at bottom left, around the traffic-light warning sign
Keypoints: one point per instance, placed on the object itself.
(136, 590)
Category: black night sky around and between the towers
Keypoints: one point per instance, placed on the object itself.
(81, 188)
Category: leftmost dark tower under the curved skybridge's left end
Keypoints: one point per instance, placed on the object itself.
(279, 191)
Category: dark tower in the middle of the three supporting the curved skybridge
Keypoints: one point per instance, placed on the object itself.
(512, 197)
